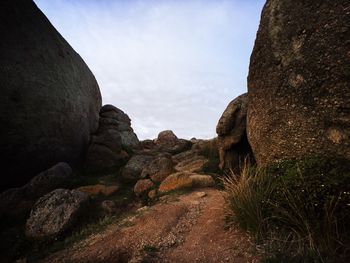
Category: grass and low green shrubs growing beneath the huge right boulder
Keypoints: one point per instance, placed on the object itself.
(297, 210)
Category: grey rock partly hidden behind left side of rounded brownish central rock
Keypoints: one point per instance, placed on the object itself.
(134, 167)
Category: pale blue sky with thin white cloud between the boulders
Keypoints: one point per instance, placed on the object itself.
(168, 64)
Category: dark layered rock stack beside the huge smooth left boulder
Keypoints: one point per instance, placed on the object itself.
(113, 137)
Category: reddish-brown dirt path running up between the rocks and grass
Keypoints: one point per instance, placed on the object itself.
(186, 228)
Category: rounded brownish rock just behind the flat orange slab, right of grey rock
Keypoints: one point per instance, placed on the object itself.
(158, 169)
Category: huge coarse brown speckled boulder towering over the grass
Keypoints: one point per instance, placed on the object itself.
(298, 83)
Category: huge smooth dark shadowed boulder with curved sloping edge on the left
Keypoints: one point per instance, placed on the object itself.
(49, 99)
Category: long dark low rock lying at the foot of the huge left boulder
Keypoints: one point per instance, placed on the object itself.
(19, 200)
